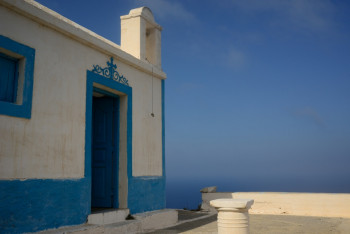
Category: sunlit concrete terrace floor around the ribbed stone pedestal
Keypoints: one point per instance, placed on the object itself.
(261, 223)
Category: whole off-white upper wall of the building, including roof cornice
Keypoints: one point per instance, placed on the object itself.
(51, 143)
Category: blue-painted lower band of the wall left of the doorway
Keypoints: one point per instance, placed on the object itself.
(34, 205)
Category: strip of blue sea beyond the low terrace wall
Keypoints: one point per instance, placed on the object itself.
(185, 193)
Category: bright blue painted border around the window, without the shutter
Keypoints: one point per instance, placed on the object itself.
(12, 109)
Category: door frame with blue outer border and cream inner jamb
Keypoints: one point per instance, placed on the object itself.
(124, 92)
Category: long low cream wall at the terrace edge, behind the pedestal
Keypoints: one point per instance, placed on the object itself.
(302, 204)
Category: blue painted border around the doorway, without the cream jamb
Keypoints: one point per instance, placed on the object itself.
(99, 79)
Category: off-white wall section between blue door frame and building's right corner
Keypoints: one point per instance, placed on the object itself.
(147, 141)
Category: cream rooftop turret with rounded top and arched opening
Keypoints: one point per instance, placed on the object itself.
(141, 35)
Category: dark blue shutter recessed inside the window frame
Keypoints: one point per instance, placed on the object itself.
(8, 79)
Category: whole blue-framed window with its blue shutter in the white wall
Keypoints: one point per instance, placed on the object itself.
(16, 78)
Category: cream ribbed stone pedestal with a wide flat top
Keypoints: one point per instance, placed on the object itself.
(233, 215)
